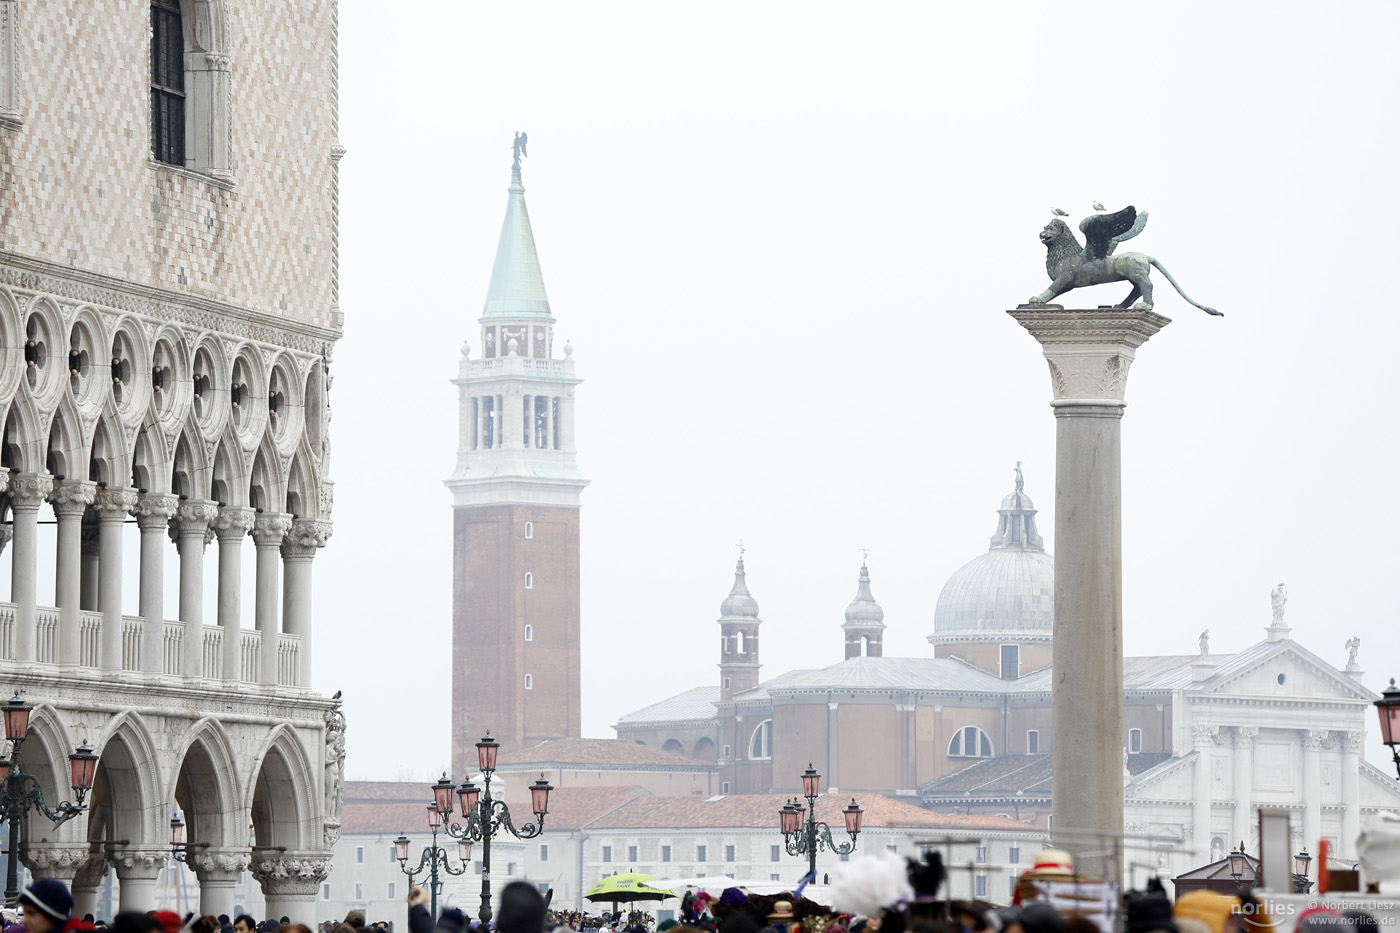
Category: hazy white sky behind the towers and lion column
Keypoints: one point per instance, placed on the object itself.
(783, 239)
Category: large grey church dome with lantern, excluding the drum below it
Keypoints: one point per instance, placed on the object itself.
(1007, 593)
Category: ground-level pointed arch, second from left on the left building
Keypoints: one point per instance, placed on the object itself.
(128, 792)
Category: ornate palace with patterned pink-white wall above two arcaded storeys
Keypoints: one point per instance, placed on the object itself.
(169, 310)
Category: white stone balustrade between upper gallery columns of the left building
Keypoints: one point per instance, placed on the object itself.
(173, 647)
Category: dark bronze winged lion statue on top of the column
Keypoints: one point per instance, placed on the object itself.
(1074, 267)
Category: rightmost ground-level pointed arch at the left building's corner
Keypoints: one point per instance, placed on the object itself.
(283, 794)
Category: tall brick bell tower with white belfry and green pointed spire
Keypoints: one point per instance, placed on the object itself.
(516, 499)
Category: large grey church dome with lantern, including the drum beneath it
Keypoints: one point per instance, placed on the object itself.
(997, 611)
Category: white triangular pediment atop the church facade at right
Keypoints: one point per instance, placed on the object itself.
(1283, 670)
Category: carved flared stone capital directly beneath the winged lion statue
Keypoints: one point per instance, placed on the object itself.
(1090, 352)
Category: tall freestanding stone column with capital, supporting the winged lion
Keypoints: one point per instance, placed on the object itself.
(1090, 354)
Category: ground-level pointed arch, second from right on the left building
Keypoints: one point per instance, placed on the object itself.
(206, 787)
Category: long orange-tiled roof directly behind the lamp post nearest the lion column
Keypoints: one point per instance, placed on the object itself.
(762, 812)
